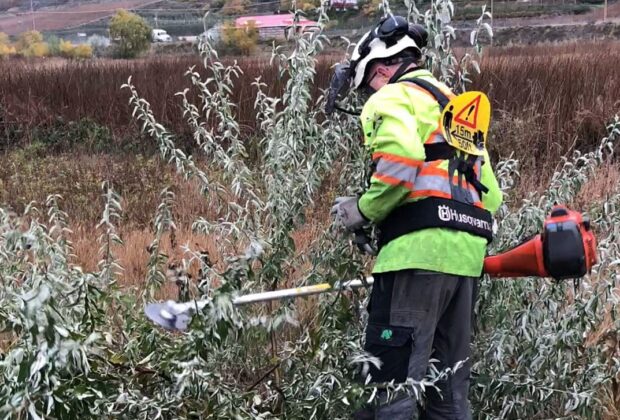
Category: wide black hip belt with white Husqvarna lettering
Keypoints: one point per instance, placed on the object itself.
(435, 212)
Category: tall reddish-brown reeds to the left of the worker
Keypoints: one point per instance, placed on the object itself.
(34, 95)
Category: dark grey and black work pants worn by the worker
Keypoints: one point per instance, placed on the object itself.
(414, 316)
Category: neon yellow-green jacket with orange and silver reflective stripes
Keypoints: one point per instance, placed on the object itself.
(397, 121)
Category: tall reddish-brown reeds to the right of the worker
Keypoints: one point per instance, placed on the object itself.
(549, 100)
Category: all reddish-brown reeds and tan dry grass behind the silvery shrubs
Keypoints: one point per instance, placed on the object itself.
(66, 127)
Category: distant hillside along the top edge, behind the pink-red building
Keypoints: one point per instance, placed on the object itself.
(183, 18)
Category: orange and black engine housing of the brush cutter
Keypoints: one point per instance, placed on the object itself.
(565, 249)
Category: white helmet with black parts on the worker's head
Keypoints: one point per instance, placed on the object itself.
(391, 36)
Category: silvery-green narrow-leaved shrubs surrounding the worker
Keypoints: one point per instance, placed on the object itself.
(74, 345)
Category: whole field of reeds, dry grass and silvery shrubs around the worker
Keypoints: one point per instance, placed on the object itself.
(544, 349)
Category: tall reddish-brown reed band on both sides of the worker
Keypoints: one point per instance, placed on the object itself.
(546, 99)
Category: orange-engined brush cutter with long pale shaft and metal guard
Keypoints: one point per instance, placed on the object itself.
(565, 249)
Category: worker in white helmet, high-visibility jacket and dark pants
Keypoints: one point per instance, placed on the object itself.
(433, 207)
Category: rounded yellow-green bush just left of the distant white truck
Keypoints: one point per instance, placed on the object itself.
(131, 34)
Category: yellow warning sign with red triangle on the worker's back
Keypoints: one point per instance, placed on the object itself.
(465, 122)
